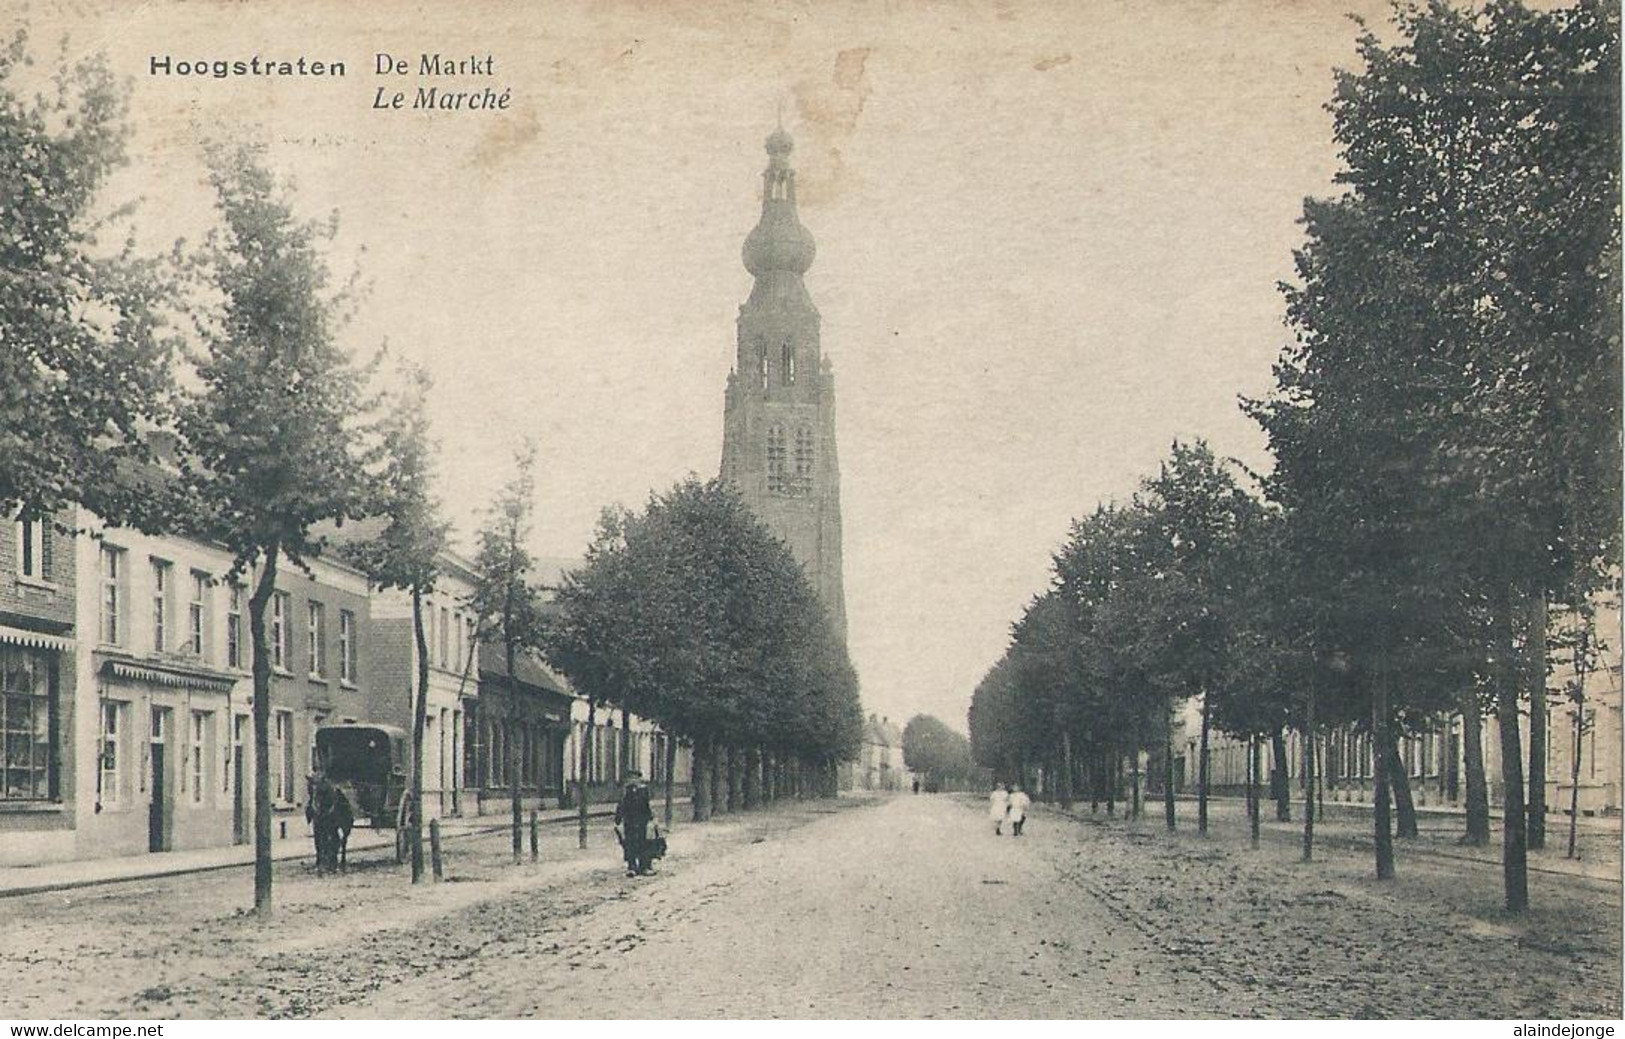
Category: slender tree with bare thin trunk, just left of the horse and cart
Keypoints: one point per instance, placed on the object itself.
(271, 435)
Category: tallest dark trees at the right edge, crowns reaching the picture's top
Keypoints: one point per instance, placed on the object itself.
(1457, 375)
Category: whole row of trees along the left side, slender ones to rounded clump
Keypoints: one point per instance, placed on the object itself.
(228, 354)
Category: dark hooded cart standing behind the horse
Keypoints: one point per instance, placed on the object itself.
(371, 768)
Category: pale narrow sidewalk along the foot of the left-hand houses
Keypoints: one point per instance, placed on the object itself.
(92, 872)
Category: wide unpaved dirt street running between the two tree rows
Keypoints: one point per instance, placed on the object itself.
(838, 910)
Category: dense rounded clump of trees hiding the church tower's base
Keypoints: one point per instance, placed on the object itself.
(691, 614)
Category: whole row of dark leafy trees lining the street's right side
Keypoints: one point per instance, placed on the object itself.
(1445, 437)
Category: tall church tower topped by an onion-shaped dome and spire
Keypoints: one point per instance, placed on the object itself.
(779, 414)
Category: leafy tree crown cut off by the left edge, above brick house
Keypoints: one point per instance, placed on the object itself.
(87, 365)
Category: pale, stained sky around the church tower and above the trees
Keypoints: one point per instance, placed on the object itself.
(1049, 241)
